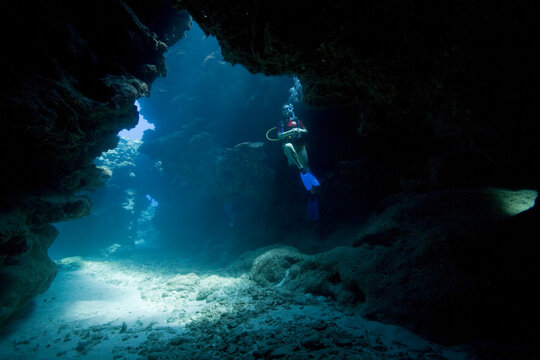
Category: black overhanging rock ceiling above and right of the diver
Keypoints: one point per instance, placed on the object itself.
(451, 83)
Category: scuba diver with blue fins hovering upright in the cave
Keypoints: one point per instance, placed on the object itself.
(292, 132)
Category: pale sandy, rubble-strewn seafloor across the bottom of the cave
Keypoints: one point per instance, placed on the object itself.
(154, 307)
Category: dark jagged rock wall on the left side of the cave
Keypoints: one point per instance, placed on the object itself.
(72, 72)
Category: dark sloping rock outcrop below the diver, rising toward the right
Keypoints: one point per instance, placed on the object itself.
(422, 264)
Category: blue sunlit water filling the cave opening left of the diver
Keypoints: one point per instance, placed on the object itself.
(189, 153)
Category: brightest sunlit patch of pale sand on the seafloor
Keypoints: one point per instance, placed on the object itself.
(103, 291)
